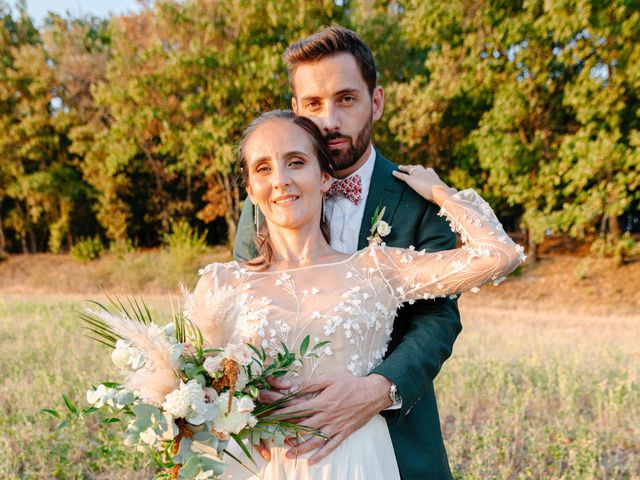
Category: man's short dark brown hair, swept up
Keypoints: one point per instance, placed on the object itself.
(326, 43)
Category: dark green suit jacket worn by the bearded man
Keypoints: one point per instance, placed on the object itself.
(423, 333)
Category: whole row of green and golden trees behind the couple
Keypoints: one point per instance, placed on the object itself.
(122, 126)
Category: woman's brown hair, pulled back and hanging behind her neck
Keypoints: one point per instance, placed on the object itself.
(266, 253)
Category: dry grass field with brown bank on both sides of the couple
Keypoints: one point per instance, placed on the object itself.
(544, 382)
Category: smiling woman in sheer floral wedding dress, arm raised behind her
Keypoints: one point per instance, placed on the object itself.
(299, 285)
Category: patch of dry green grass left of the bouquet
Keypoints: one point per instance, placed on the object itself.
(43, 354)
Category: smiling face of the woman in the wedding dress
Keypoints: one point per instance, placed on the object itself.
(285, 179)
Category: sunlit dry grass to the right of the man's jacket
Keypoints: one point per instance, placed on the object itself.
(547, 393)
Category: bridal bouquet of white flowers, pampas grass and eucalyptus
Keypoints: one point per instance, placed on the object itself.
(182, 398)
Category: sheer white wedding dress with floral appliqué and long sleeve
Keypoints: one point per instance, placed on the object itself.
(352, 303)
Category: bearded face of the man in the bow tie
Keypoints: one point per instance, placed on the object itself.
(333, 93)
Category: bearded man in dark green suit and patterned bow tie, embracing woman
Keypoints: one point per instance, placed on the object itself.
(333, 77)
